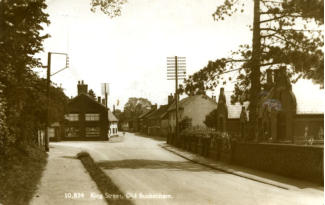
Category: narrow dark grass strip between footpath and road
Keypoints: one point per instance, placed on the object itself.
(103, 182)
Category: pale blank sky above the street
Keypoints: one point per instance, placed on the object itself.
(129, 52)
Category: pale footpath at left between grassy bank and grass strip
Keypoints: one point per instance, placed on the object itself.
(65, 180)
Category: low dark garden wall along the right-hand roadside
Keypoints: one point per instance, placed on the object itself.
(298, 161)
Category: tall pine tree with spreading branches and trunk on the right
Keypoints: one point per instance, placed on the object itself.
(285, 34)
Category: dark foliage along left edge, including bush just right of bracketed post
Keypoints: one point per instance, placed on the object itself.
(23, 97)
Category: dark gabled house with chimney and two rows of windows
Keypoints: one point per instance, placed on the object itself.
(86, 118)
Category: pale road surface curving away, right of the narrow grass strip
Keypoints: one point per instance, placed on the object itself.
(139, 166)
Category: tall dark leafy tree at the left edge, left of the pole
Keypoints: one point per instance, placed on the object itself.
(20, 39)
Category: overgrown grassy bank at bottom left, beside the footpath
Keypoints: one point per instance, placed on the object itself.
(20, 172)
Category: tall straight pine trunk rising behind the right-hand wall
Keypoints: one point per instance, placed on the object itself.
(255, 72)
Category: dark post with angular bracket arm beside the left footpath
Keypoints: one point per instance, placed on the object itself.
(48, 82)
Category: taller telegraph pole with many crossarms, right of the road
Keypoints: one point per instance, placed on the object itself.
(176, 70)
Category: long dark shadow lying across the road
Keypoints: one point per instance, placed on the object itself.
(153, 164)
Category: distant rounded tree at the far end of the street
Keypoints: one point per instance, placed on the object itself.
(135, 107)
